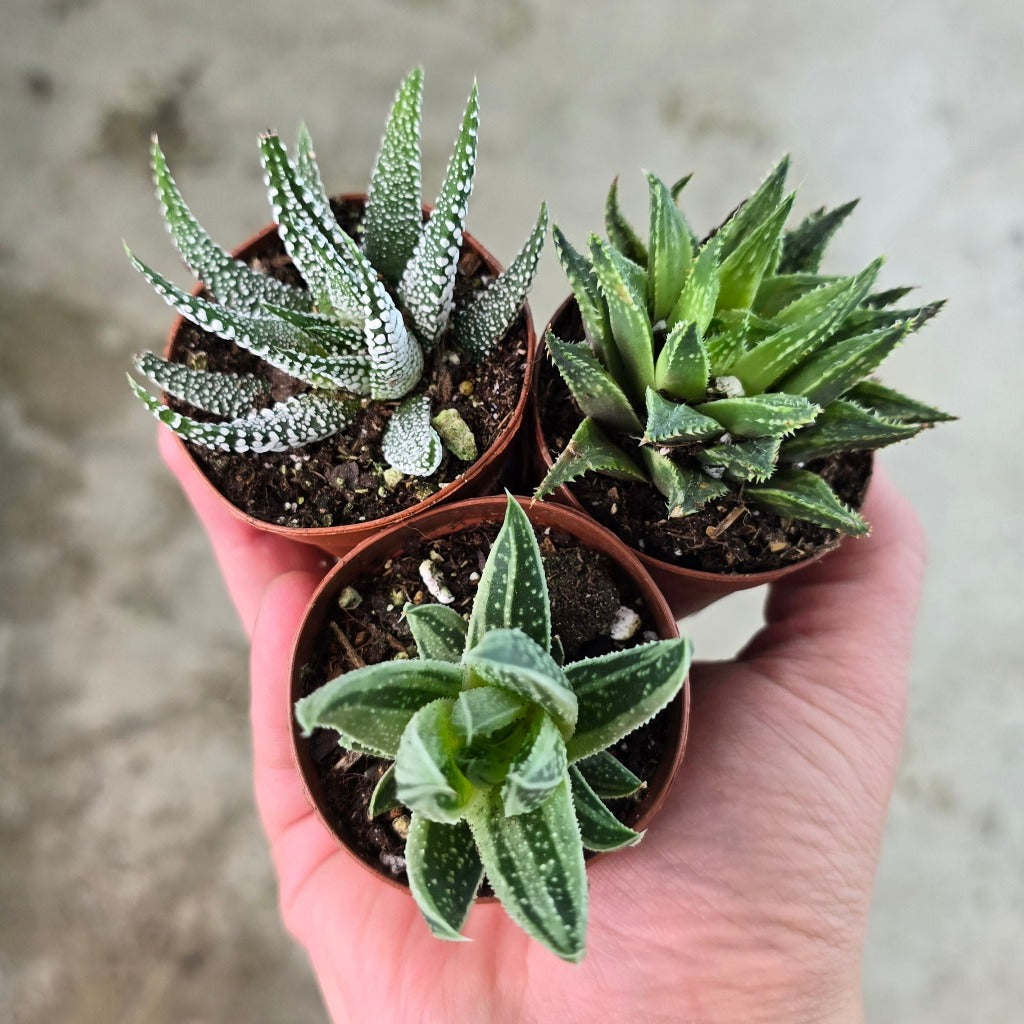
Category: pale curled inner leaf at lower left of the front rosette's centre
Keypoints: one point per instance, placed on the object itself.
(426, 777)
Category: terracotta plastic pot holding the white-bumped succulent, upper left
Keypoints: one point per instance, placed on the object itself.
(481, 478)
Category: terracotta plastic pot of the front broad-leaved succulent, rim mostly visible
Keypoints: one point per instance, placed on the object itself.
(368, 559)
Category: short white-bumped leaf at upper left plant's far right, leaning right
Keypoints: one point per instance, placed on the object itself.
(481, 325)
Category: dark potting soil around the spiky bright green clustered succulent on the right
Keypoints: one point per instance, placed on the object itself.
(728, 535)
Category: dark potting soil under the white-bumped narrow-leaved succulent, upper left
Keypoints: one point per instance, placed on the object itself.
(340, 480)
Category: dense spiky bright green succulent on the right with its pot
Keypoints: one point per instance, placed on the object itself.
(722, 391)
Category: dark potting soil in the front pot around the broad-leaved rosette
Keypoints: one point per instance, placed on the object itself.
(585, 591)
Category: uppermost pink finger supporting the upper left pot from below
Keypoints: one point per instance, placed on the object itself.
(249, 559)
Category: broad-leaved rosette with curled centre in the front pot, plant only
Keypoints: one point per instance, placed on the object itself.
(500, 752)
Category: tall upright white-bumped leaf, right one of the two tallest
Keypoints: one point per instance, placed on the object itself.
(429, 283)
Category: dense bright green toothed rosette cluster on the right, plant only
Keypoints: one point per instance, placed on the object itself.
(728, 365)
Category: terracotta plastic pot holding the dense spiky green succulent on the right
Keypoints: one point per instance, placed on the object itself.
(687, 590)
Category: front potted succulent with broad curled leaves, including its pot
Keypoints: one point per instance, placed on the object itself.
(482, 736)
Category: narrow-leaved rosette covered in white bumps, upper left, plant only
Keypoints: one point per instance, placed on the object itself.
(373, 312)
